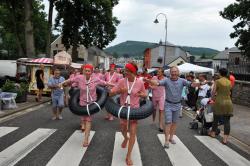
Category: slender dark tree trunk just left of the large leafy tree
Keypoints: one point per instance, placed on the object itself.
(48, 42)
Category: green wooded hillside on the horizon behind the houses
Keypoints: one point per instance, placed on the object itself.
(136, 49)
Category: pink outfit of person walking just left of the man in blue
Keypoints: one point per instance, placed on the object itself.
(158, 95)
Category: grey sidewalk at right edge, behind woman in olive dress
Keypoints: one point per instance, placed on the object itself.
(240, 123)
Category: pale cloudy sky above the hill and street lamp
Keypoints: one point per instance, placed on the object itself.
(194, 23)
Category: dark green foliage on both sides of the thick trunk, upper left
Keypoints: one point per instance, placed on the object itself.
(12, 27)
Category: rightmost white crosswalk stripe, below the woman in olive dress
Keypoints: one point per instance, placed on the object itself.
(229, 156)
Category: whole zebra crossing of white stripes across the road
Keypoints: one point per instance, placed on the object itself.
(178, 154)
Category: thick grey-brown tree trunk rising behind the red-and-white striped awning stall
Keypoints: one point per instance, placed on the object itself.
(29, 34)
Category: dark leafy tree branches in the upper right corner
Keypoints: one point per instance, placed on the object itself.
(239, 11)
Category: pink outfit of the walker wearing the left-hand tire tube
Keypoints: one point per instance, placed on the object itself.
(81, 82)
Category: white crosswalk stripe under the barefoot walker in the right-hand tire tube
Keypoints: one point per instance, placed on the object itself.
(119, 154)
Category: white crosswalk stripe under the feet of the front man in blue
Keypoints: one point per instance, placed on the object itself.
(179, 153)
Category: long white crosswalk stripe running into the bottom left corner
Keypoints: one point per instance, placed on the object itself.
(20, 149)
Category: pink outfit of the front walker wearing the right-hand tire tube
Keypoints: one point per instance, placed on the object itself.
(134, 98)
